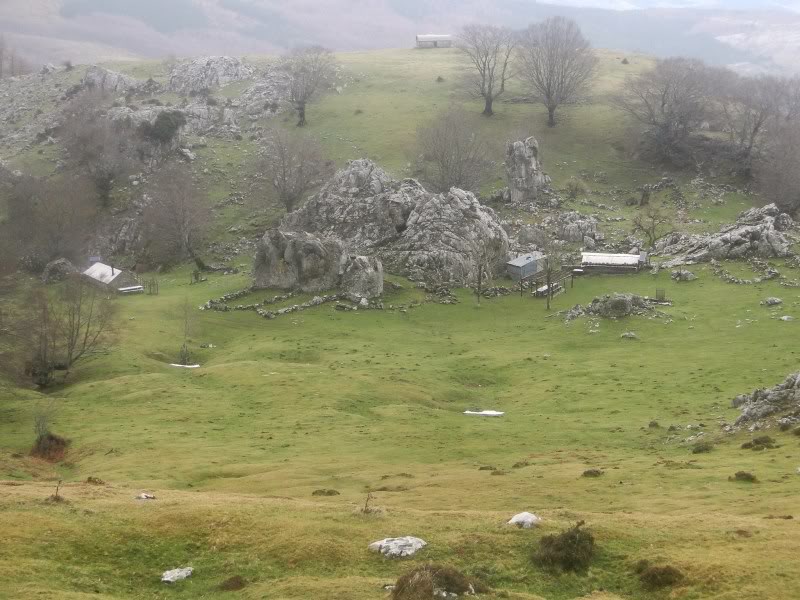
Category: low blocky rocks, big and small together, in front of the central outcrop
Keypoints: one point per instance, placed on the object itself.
(301, 261)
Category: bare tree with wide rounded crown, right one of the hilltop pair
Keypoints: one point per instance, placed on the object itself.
(556, 62)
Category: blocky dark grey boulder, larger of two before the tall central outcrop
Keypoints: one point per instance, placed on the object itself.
(290, 260)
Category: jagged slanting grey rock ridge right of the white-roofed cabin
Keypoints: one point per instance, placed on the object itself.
(758, 232)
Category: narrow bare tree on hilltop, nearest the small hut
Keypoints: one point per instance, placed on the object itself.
(490, 50)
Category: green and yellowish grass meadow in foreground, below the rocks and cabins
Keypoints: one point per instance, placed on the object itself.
(323, 399)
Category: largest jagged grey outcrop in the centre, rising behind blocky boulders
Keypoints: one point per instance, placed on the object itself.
(434, 237)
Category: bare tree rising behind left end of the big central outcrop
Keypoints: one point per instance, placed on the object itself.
(294, 164)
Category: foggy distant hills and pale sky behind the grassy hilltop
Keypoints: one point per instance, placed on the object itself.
(749, 33)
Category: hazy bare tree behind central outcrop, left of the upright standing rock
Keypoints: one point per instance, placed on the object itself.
(453, 154)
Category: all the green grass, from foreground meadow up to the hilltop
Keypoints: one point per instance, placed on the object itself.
(372, 402)
